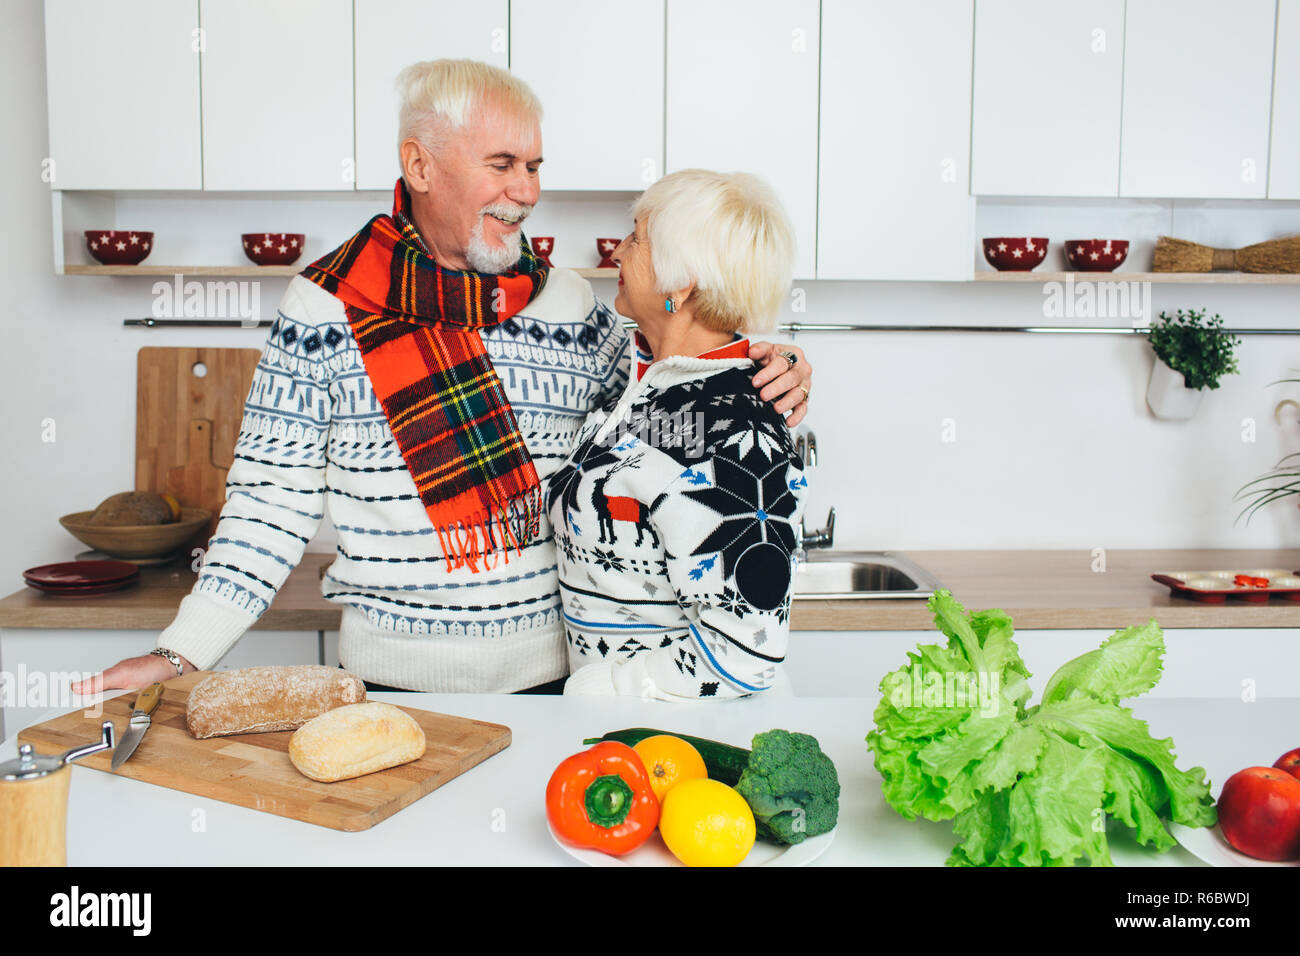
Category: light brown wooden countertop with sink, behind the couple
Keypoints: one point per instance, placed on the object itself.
(1039, 590)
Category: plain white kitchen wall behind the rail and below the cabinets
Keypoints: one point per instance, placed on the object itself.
(1055, 448)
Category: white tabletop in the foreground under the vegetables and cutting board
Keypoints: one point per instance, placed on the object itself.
(495, 815)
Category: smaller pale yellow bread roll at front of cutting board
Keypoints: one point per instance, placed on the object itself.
(354, 741)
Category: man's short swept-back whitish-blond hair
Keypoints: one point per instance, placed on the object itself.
(440, 97)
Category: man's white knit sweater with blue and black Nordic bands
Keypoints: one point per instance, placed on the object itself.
(314, 436)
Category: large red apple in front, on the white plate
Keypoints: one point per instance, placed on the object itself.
(1260, 814)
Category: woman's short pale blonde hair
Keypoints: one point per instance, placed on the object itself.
(730, 236)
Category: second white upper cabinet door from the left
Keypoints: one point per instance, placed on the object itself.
(278, 96)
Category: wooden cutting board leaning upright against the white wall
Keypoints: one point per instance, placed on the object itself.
(187, 425)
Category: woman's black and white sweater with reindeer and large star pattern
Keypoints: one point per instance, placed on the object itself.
(674, 525)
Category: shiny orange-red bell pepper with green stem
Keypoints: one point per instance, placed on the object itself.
(603, 799)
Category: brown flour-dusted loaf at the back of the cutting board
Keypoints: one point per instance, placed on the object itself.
(255, 700)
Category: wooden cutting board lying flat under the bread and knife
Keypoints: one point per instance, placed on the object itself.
(253, 769)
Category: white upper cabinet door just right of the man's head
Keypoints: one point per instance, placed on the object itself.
(597, 67)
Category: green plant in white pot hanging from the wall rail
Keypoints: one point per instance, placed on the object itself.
(1193, 353)
